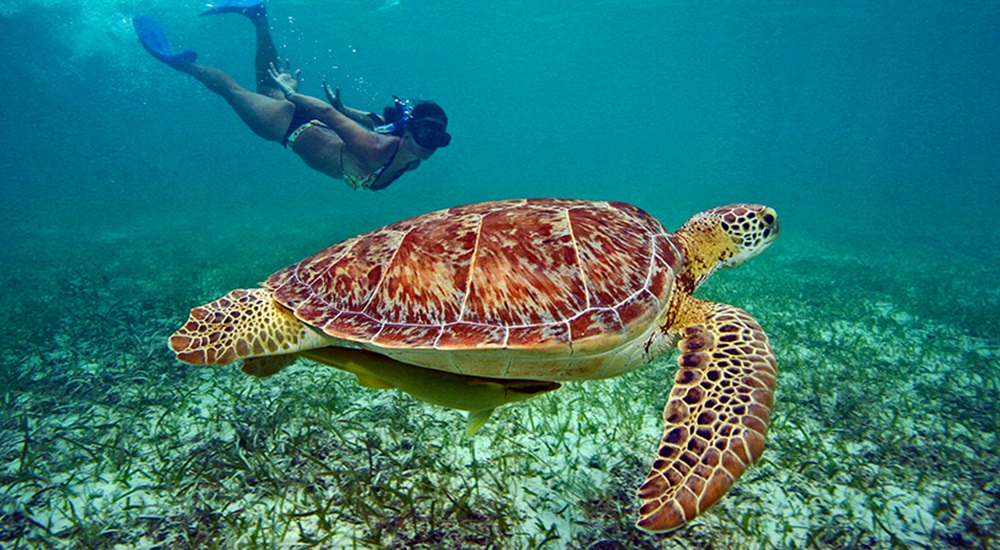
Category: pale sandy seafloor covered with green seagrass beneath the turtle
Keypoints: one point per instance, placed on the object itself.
(884, 434)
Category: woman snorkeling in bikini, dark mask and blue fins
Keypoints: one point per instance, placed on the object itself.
(365, 150)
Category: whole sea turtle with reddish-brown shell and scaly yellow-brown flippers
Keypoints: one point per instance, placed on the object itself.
(536, 291)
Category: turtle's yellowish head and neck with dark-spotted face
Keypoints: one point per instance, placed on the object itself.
(726, 236)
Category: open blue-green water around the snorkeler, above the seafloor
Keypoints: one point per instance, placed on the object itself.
(870, 123)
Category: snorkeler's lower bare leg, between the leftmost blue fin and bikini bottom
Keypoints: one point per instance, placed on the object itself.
(266, 116)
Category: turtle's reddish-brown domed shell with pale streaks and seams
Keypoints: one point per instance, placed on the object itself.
(540, 276)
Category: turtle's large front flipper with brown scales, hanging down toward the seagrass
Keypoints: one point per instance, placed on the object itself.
(716, 417)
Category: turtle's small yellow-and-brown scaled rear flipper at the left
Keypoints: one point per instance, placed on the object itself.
(242, 324)
